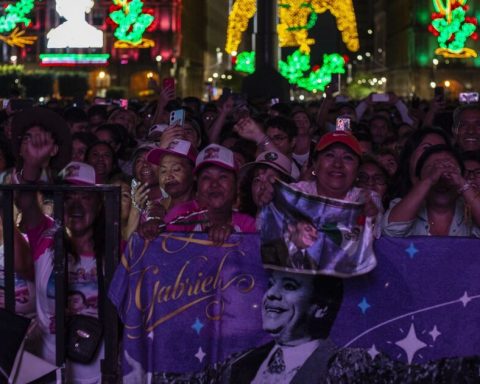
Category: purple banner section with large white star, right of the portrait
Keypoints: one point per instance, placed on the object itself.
(421, 303)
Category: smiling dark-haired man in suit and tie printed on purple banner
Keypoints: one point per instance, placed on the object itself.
(298, 312)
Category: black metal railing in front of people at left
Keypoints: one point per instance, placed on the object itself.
(111, 196)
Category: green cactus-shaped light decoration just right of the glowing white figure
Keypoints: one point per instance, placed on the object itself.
(131, 23)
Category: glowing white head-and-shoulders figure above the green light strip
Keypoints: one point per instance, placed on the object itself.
(75, 32)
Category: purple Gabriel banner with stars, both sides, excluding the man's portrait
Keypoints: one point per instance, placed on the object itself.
(191, 309)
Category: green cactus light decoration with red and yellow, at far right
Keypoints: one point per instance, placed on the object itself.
(452, 28)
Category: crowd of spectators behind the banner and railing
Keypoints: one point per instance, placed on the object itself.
(414, 164)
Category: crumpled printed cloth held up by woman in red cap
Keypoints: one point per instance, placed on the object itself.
(315, 234)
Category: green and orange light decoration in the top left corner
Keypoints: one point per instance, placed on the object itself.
(15, 14)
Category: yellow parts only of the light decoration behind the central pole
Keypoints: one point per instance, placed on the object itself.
(296, 17)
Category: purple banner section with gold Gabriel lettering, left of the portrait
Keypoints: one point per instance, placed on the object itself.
(187, 304)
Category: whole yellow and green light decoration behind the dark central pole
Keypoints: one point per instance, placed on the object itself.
(296, 18)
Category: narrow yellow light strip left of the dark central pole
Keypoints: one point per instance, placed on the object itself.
(242, 12)
